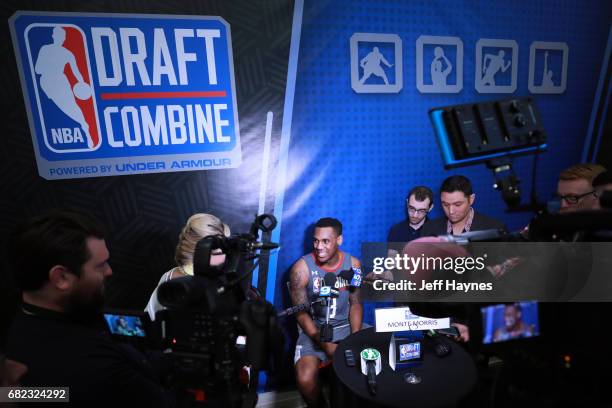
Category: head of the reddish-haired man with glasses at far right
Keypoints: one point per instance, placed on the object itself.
(575, 189)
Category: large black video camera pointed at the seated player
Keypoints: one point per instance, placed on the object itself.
(213, 326)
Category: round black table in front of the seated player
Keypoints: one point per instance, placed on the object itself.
(444, 380)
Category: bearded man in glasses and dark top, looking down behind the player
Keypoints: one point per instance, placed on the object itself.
(419, 203)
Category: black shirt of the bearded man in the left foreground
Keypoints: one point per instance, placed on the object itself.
(62, 352)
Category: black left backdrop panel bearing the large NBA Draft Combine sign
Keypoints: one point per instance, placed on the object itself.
(143, 114)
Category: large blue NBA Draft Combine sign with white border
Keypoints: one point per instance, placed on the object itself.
(112, 94)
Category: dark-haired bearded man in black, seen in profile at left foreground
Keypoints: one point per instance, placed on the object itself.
(60, 262)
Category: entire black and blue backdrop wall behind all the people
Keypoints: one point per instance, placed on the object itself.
(143, 113)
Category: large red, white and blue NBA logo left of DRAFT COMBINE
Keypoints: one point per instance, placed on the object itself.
(63, 86)
